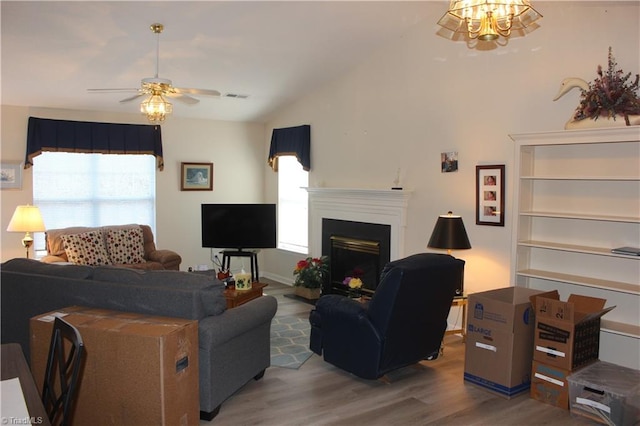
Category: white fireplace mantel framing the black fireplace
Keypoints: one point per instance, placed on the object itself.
(381, 206)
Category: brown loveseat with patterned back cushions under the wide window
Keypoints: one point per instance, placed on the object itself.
(130, 246)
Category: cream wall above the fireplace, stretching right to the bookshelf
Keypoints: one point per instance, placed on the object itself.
(421, 95)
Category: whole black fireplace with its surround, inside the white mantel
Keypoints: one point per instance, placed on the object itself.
(354, 249)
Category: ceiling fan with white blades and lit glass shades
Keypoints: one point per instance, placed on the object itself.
(157, 88)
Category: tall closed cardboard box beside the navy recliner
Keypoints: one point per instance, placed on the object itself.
(499, 344)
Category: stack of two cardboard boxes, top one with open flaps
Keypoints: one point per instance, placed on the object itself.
(566, 338)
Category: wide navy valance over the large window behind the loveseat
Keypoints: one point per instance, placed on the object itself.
(83, 136)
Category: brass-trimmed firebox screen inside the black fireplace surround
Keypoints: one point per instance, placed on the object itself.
(354, 258)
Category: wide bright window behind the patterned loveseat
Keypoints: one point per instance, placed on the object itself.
(73, 189)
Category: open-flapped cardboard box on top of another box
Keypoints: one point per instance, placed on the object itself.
(567, 334)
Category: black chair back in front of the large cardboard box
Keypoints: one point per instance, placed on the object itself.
(62, 374)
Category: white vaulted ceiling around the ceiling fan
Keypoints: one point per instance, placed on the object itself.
(274, 52)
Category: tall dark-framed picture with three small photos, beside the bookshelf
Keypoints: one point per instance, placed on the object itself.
(490, 195)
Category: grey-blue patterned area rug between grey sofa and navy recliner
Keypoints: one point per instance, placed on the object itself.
(290, 341)
